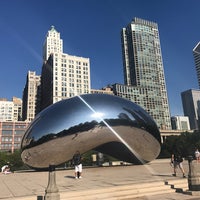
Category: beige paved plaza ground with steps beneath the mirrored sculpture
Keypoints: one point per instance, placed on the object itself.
(113, 183)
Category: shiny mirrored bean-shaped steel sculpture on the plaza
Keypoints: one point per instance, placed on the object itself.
(105, 123)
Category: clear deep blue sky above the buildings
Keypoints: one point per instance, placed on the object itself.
(91, 28)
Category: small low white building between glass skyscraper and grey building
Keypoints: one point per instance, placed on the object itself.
(180, 123)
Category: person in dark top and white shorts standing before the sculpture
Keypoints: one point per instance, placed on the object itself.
(76, 160)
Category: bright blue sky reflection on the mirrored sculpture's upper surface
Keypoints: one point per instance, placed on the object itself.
(72, 112)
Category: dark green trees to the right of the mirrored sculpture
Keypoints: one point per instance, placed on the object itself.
(186, 144)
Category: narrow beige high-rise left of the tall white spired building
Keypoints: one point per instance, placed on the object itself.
(31, 96)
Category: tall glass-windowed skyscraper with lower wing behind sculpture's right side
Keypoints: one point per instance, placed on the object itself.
(143, 70)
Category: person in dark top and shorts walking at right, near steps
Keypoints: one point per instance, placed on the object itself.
(177, 161)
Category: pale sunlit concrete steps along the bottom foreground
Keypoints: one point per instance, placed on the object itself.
(120, 192)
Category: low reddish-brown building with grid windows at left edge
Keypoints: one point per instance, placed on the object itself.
(11, 134)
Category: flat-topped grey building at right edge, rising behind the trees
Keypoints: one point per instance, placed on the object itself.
(191, 107)
